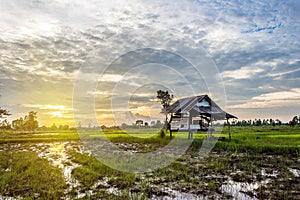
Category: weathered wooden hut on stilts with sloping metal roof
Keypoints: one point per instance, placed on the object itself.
(195, 114)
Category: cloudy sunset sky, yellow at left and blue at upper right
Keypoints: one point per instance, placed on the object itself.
(106, 59)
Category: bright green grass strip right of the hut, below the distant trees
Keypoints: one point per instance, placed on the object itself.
(265, 139)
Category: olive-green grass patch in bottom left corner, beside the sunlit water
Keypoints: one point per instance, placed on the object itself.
(25, 174)
